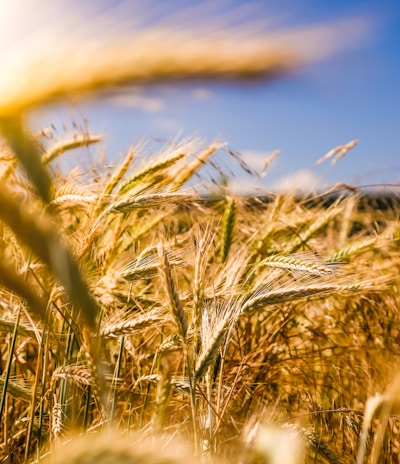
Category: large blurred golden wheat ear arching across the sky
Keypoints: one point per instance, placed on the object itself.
(33, 75)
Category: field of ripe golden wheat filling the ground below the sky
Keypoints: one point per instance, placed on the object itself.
(146, 319)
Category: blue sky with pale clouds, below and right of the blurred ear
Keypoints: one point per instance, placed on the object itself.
(351, 95)
